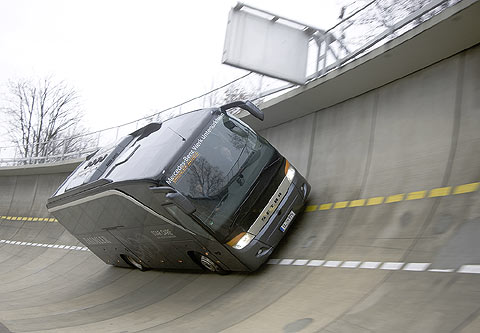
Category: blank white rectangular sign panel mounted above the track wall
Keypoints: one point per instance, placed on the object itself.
(266, 47)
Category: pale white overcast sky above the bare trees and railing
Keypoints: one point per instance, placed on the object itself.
(128, 59)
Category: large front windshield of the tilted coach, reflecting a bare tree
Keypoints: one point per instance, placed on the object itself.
(217, 172)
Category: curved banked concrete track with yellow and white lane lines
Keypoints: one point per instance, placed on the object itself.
(389, 242)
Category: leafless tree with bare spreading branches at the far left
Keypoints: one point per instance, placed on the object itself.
(43, 117)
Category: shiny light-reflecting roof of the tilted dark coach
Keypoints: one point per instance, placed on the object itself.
(144, 154)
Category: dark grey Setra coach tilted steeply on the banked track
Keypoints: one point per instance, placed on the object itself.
(199, 190)
